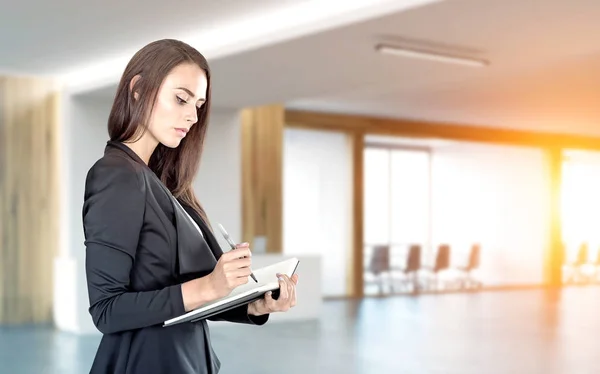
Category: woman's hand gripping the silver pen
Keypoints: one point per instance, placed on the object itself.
(232, 270)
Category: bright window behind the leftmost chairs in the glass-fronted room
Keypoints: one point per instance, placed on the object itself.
(396, 208)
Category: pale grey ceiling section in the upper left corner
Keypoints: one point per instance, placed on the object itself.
(50, 38)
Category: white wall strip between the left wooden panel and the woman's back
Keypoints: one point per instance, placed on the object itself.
(84, 137)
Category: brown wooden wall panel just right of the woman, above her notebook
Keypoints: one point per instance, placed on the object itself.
(262, 175)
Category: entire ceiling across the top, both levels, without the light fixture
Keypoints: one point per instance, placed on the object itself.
(543, 74)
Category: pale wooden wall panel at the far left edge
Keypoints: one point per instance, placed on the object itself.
(29, 194)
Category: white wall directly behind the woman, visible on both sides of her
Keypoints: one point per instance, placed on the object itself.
(84, 138)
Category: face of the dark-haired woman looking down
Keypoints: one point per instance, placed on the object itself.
(182, 92)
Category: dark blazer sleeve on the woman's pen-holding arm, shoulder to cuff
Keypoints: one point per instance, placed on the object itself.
(113, 213)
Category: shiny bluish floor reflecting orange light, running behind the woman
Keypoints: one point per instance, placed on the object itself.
(530, 331)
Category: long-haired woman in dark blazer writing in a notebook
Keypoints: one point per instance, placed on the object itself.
(150, 252)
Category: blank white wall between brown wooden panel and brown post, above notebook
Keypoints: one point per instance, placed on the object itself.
(317, 202)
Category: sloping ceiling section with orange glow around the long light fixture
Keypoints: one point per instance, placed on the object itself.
(543, 73)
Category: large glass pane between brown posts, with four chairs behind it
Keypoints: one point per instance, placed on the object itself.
(445, 215)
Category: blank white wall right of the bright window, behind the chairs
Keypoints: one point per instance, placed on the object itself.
(496, 197)
